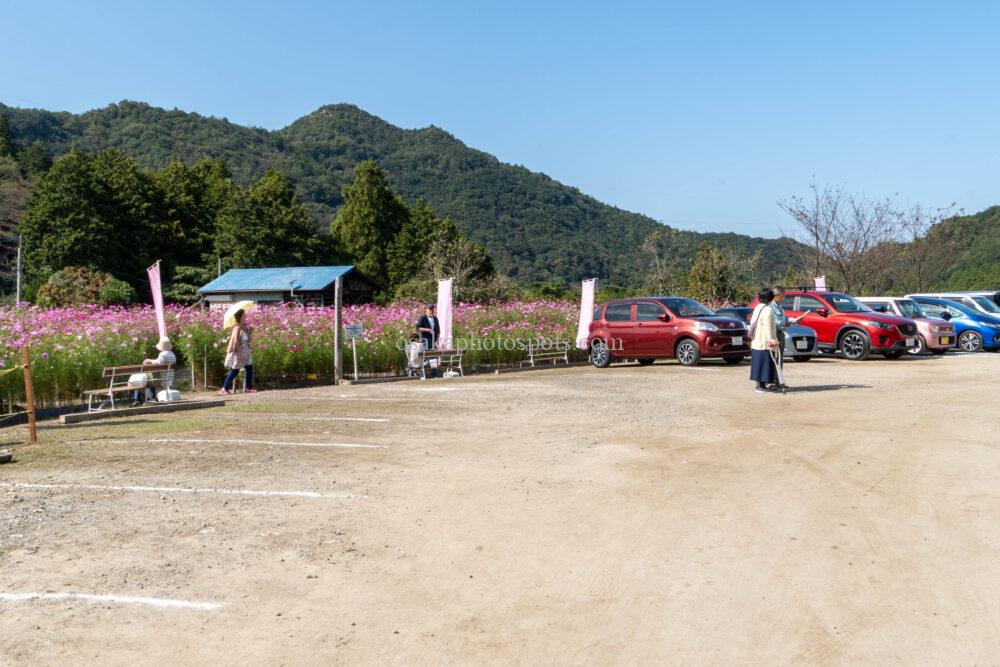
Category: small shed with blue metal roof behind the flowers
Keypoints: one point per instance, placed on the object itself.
(308, 285)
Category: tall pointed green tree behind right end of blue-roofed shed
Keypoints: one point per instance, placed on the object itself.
(368, 222)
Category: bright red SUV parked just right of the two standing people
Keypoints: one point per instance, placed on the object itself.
(844, 323)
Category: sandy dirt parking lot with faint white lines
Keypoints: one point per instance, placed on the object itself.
(630, 515)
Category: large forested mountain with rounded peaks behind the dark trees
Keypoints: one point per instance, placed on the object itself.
(536, 228)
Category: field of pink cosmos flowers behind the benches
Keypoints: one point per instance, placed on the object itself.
(70, 346)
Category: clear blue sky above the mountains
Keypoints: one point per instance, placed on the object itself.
(701, 115)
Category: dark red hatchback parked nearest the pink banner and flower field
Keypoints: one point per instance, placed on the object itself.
(661, 327)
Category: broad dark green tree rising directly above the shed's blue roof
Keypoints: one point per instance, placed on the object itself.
(266, 226)
